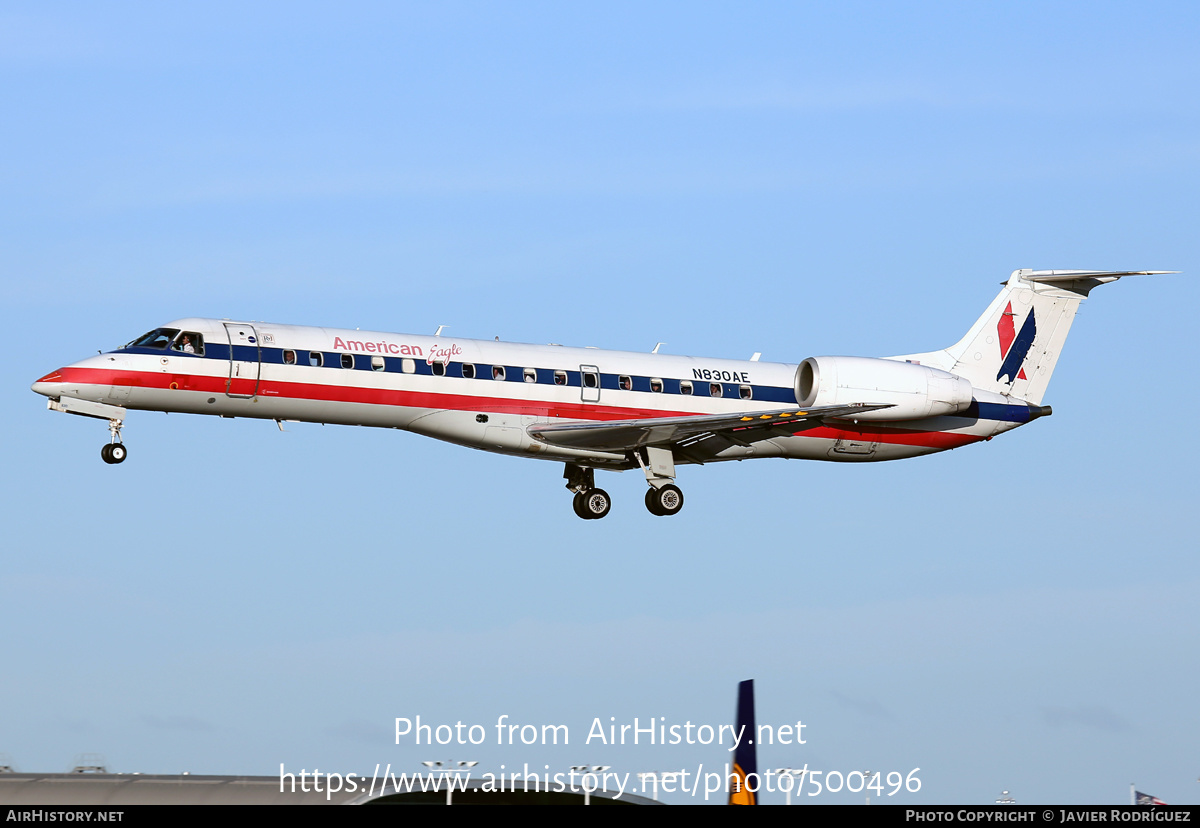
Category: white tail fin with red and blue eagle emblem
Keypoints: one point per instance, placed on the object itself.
(1013, 347)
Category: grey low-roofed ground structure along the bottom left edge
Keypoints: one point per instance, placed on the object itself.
(116, 790)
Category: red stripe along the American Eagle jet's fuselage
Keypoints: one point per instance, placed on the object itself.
(463, 403)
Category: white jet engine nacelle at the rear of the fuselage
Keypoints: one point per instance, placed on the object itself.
(915, 392)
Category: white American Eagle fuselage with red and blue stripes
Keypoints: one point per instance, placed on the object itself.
(476, 393)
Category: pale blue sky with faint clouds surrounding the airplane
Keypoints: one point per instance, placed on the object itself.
(794, 179)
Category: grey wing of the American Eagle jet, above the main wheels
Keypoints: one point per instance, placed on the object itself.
(683, 433)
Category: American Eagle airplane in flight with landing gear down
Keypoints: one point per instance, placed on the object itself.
(599, 410)
